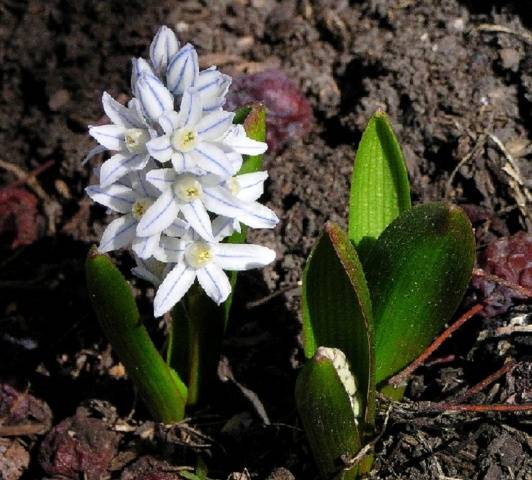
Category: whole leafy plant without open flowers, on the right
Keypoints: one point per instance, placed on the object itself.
(373, 298)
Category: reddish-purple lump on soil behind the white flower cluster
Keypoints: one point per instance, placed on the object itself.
(289, 114)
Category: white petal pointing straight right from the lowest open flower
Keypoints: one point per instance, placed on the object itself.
(231, 256)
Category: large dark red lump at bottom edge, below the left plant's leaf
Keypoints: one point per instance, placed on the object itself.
(79, 447)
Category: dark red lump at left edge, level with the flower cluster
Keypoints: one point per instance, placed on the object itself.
(18, 216)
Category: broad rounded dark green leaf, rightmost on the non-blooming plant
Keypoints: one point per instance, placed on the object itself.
(417, 273)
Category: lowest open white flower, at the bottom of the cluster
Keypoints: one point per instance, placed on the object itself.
(205, 261)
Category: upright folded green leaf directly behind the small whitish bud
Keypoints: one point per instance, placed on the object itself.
(337, 308)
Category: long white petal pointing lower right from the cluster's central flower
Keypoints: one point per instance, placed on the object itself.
(253, 214)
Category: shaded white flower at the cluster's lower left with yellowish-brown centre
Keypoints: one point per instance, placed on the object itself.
(132, 202)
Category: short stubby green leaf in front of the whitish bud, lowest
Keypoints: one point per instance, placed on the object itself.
(328, 420)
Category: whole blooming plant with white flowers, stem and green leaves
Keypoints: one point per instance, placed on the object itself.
(183, 181)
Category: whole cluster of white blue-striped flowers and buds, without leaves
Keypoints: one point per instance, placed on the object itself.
(173, 177)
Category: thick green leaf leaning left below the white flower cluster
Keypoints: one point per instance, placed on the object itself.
(161, 389)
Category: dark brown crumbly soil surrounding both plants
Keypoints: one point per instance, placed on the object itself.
(454, 76)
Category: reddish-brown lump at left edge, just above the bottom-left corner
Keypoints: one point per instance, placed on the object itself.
(22, 413)
